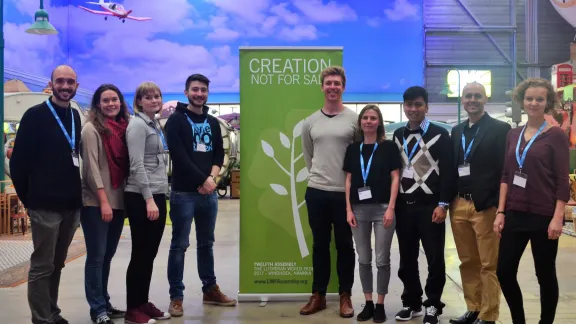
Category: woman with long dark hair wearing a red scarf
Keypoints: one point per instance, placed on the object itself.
(104, 171)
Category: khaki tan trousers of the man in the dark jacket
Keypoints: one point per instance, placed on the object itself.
(477, 247)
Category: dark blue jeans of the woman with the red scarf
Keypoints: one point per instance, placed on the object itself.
(101, 242)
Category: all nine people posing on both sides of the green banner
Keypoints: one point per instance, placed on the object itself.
(503, 188)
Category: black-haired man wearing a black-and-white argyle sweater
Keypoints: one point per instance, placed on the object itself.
(426, 190)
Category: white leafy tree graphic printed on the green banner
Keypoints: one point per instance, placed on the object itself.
(301, 176)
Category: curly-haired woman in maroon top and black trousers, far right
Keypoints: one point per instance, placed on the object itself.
(533, 193)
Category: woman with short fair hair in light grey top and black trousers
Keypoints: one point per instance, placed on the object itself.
(145, 201)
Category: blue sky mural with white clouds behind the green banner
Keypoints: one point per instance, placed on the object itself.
(382, 40)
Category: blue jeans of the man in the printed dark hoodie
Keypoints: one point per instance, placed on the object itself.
(184, 208)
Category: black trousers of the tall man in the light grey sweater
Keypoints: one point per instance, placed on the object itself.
(327, 209)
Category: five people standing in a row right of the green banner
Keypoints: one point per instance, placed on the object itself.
(502, 187)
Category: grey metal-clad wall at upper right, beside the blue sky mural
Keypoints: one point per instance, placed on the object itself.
(473, 50)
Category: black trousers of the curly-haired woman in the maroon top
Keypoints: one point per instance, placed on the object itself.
(544, 251)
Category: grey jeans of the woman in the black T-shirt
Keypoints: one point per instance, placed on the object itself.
(368, 216)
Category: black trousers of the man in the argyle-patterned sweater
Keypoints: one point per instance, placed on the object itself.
(414, 223)
